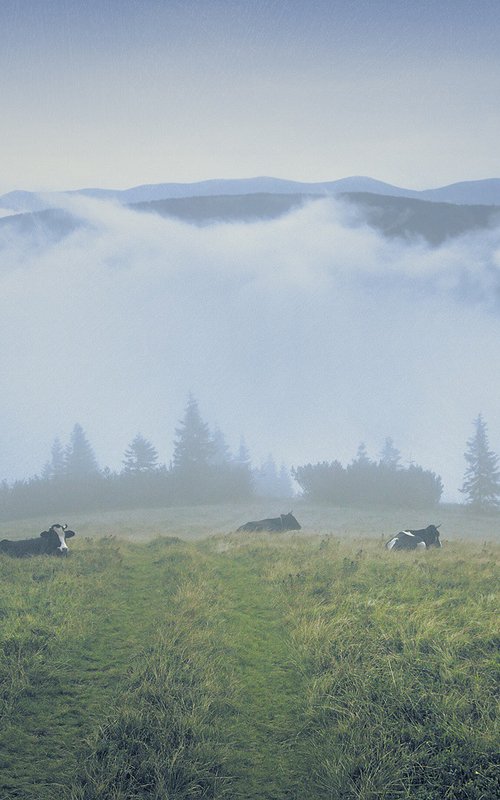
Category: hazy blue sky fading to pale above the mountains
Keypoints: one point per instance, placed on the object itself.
(116, 93)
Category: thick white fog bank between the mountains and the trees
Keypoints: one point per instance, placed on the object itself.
(306, 334)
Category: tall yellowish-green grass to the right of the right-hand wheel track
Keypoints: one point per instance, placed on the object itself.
(400, 658)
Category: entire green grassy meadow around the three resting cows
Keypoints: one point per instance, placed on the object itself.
(168, 657)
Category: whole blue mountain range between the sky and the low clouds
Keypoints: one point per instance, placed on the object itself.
(434, 215)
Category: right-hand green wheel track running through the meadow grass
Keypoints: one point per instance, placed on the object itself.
(265, 727)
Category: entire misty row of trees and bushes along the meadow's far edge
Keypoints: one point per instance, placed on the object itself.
(203, 470)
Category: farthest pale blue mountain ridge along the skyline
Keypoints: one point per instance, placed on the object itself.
(481, 192)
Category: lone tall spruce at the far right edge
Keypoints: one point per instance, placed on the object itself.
(482, 477)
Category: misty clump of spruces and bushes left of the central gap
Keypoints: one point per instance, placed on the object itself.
(202, 470)
